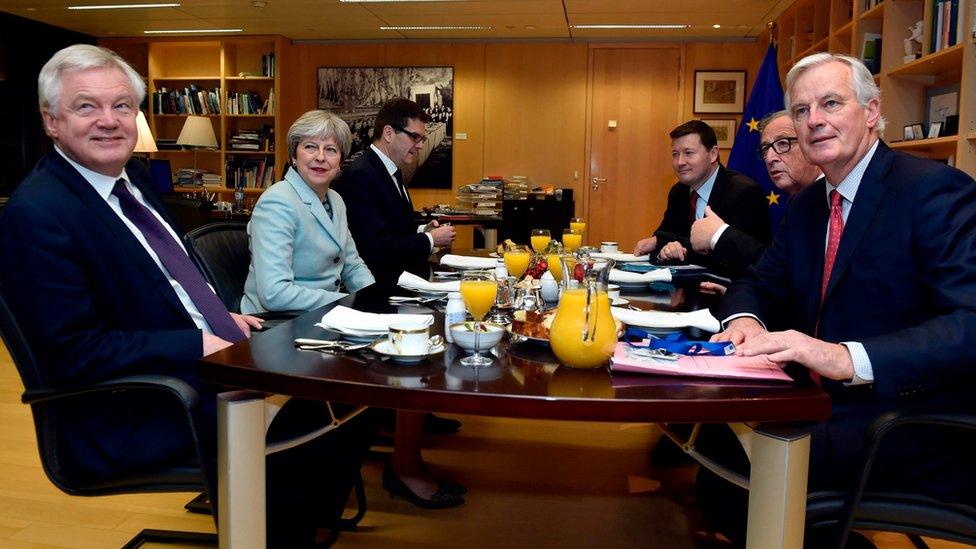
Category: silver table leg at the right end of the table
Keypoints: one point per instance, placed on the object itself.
(778, 489)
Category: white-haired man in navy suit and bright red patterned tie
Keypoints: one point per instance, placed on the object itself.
(873, 278)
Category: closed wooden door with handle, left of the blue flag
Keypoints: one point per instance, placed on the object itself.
(637, 90)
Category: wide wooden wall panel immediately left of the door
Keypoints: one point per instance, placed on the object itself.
(535, 113)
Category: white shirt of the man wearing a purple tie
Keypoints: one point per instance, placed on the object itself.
(103, 185)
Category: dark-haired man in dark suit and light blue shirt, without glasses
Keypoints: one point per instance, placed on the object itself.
(704, 185)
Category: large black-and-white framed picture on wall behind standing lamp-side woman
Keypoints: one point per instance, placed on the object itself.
(357, 93)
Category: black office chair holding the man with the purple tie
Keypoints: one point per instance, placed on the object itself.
(49, 404)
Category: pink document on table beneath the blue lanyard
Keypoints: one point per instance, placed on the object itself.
(630, 359)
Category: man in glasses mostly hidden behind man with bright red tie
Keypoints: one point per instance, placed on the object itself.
(790, 172)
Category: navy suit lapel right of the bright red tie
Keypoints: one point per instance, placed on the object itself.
(870, 193)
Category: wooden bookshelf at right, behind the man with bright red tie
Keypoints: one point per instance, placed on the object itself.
(907, 87)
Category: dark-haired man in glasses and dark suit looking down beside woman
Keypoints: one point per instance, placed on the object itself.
(380, 212)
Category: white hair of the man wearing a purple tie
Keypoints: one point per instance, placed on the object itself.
(81, 57)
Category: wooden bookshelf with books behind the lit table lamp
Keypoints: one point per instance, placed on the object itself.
(230, 68)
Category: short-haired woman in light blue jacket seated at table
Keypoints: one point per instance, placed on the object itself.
(302, 254)
